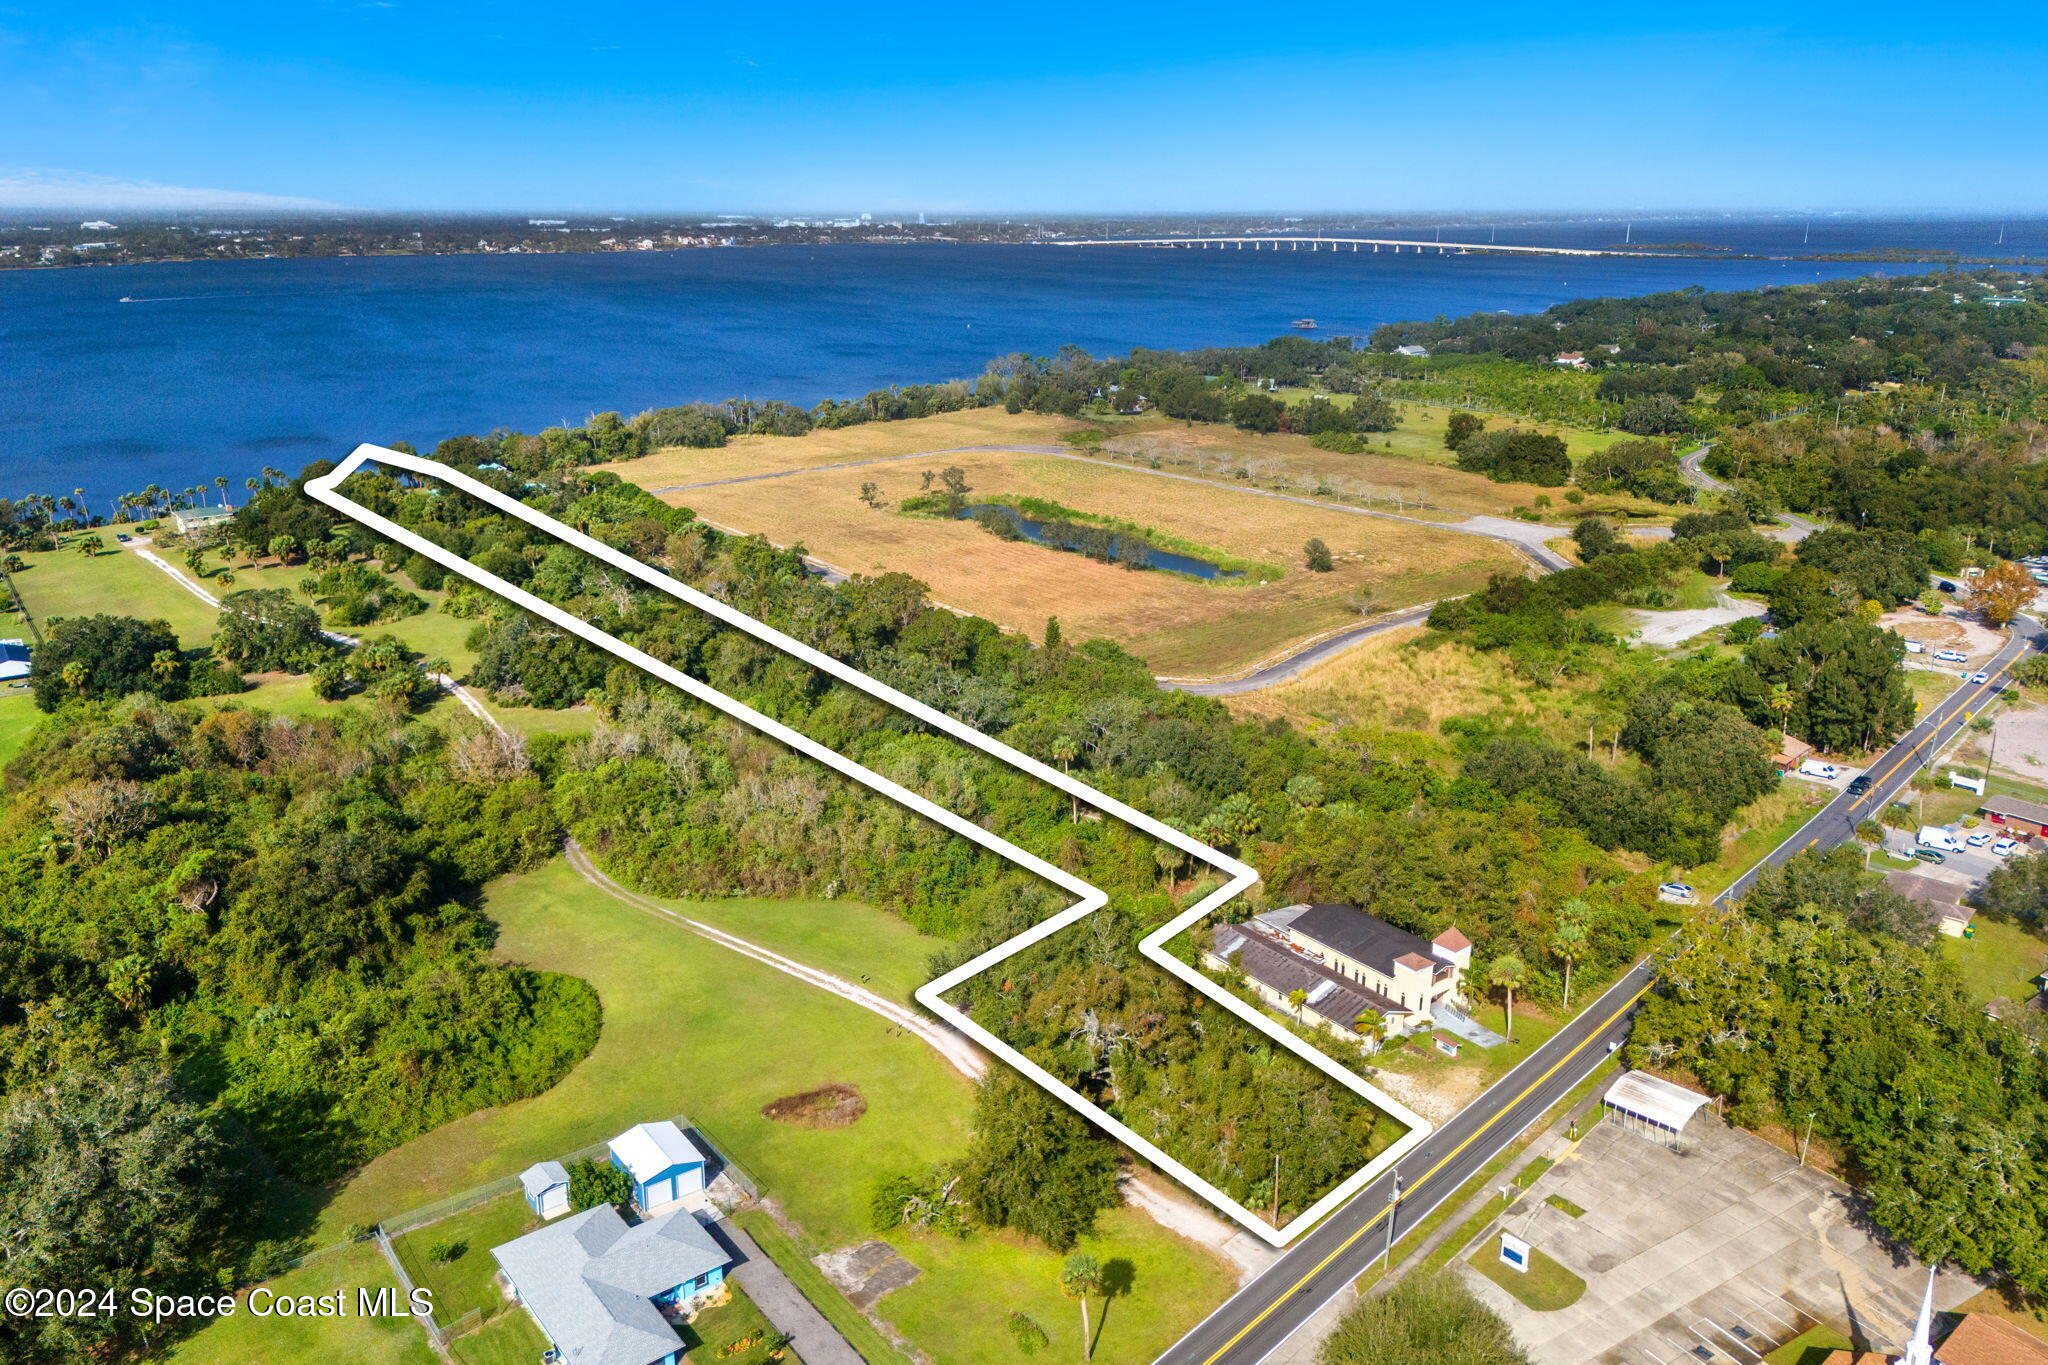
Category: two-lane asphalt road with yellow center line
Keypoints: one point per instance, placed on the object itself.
(1279, 1303)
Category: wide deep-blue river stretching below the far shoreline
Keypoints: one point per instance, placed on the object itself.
(175, 373)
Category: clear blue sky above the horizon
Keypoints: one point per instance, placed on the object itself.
(1035, 109)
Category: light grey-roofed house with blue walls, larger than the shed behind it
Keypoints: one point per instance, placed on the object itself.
(601, 1290)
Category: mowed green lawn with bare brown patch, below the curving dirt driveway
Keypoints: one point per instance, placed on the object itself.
(689, 1028)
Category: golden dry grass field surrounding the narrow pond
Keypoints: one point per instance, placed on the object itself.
(1181, 625)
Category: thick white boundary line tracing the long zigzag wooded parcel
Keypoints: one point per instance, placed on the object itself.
(931, 996)
